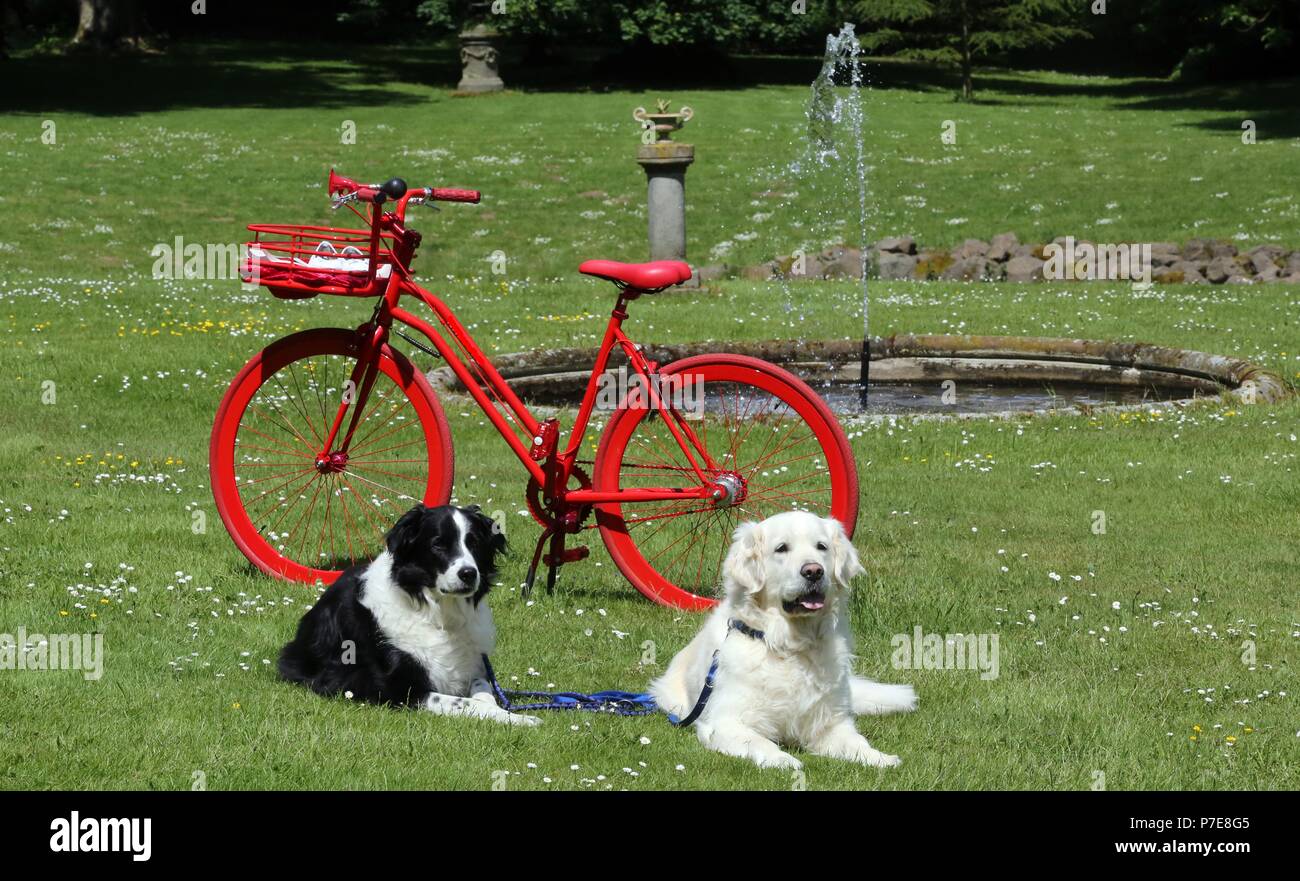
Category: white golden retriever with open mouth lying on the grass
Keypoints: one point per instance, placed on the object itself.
(783, 650)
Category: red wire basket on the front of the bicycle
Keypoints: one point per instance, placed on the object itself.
(297, 262)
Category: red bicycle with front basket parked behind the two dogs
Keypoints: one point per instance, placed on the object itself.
(328, 435)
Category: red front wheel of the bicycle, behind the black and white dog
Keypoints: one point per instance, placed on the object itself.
(302, 513)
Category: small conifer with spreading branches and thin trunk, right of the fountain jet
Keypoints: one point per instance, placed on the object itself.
(957, 33)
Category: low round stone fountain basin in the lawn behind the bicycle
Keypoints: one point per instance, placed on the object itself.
(558, 376)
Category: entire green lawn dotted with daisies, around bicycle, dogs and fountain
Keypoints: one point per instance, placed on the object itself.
(1121, 653)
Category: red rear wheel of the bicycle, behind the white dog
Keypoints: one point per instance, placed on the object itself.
(774, 445)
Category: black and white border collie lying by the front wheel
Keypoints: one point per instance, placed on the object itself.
(411, 628)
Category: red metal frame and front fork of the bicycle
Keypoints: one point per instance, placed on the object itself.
(549, 466)
